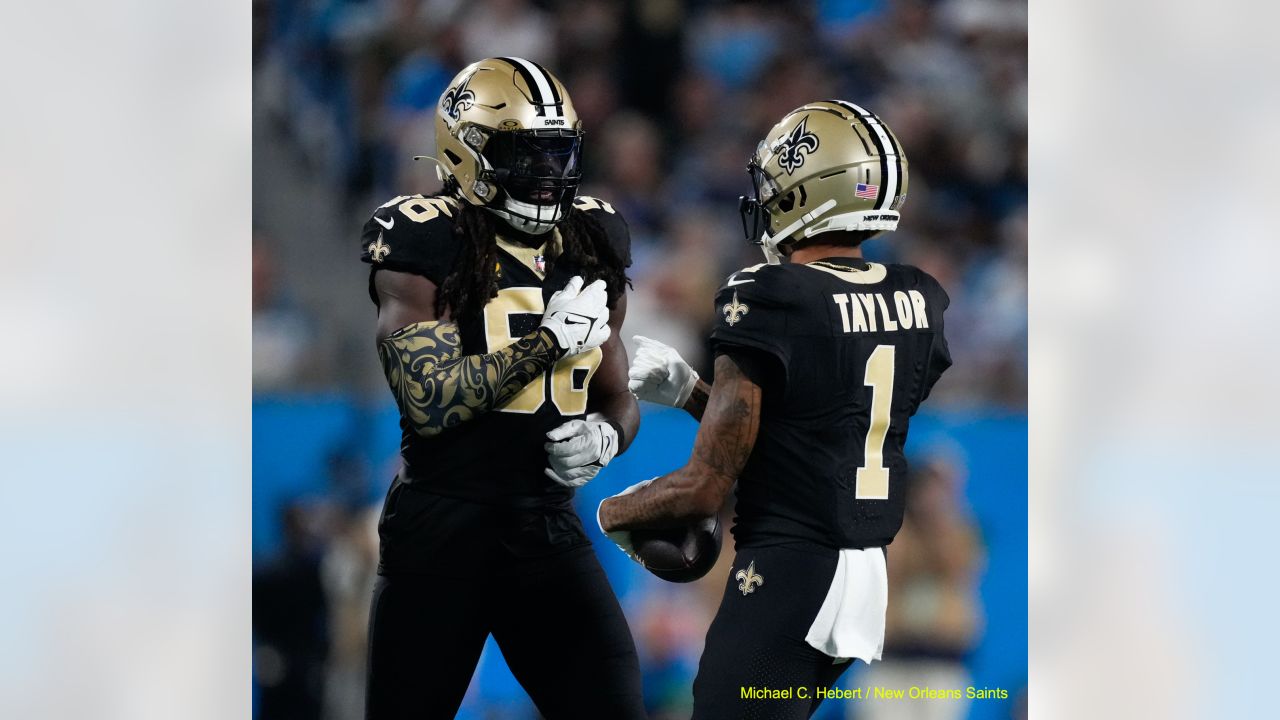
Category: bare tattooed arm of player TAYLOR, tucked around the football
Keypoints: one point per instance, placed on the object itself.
(698, 490)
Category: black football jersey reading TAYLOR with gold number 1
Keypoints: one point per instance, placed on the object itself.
(854, 349)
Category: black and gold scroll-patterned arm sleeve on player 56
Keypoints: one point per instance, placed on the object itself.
(437, 388)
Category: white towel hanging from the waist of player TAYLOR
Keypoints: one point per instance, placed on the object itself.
(852, 621)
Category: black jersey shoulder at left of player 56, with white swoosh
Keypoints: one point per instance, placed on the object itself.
(413, 234)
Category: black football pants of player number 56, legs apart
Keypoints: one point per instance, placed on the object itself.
(556, 621)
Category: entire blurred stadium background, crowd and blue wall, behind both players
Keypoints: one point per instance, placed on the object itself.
(674, 98)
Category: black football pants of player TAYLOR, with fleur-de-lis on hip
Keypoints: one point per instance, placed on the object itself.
(757, 639)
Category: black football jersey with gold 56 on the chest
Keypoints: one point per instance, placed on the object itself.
(500, 455)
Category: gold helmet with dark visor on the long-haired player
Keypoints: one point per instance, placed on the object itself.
(508, 139)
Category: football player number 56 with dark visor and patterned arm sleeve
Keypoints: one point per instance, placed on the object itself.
(496, 302)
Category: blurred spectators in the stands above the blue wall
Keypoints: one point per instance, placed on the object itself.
(674, 98)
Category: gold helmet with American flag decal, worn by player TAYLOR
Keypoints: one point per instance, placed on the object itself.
(829, 166)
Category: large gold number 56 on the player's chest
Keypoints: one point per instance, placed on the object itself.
(569, 397)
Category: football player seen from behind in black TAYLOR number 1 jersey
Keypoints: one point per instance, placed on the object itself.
(820, 364)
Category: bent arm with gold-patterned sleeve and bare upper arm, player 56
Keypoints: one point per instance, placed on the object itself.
(436, 386)
